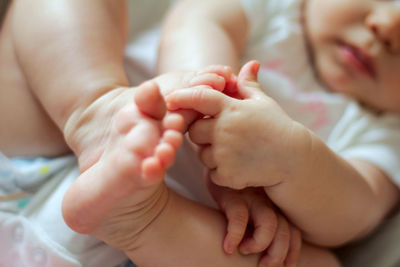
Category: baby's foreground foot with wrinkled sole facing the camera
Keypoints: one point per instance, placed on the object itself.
(125, 186)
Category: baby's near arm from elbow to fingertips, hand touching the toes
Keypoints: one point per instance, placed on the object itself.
(330, 199)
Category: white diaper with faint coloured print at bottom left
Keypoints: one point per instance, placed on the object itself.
(32, 229)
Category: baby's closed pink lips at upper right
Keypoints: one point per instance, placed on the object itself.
(358, 60)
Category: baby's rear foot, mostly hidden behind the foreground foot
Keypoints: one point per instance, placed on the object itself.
(86, 131)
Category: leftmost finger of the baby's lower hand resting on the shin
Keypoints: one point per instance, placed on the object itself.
(237, 214)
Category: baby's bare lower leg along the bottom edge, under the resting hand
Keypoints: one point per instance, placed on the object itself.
(191, 234)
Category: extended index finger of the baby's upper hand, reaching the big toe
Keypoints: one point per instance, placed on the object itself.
(201, 99)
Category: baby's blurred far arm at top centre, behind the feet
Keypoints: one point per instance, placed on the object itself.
(201, 33)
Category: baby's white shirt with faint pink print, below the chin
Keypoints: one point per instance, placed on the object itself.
(277, 41)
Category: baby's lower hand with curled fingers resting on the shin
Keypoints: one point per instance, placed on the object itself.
(255, 227)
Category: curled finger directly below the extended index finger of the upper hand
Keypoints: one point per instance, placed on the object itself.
(201, 132)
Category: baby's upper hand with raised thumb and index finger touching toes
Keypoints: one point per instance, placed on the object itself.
(246, 142)
